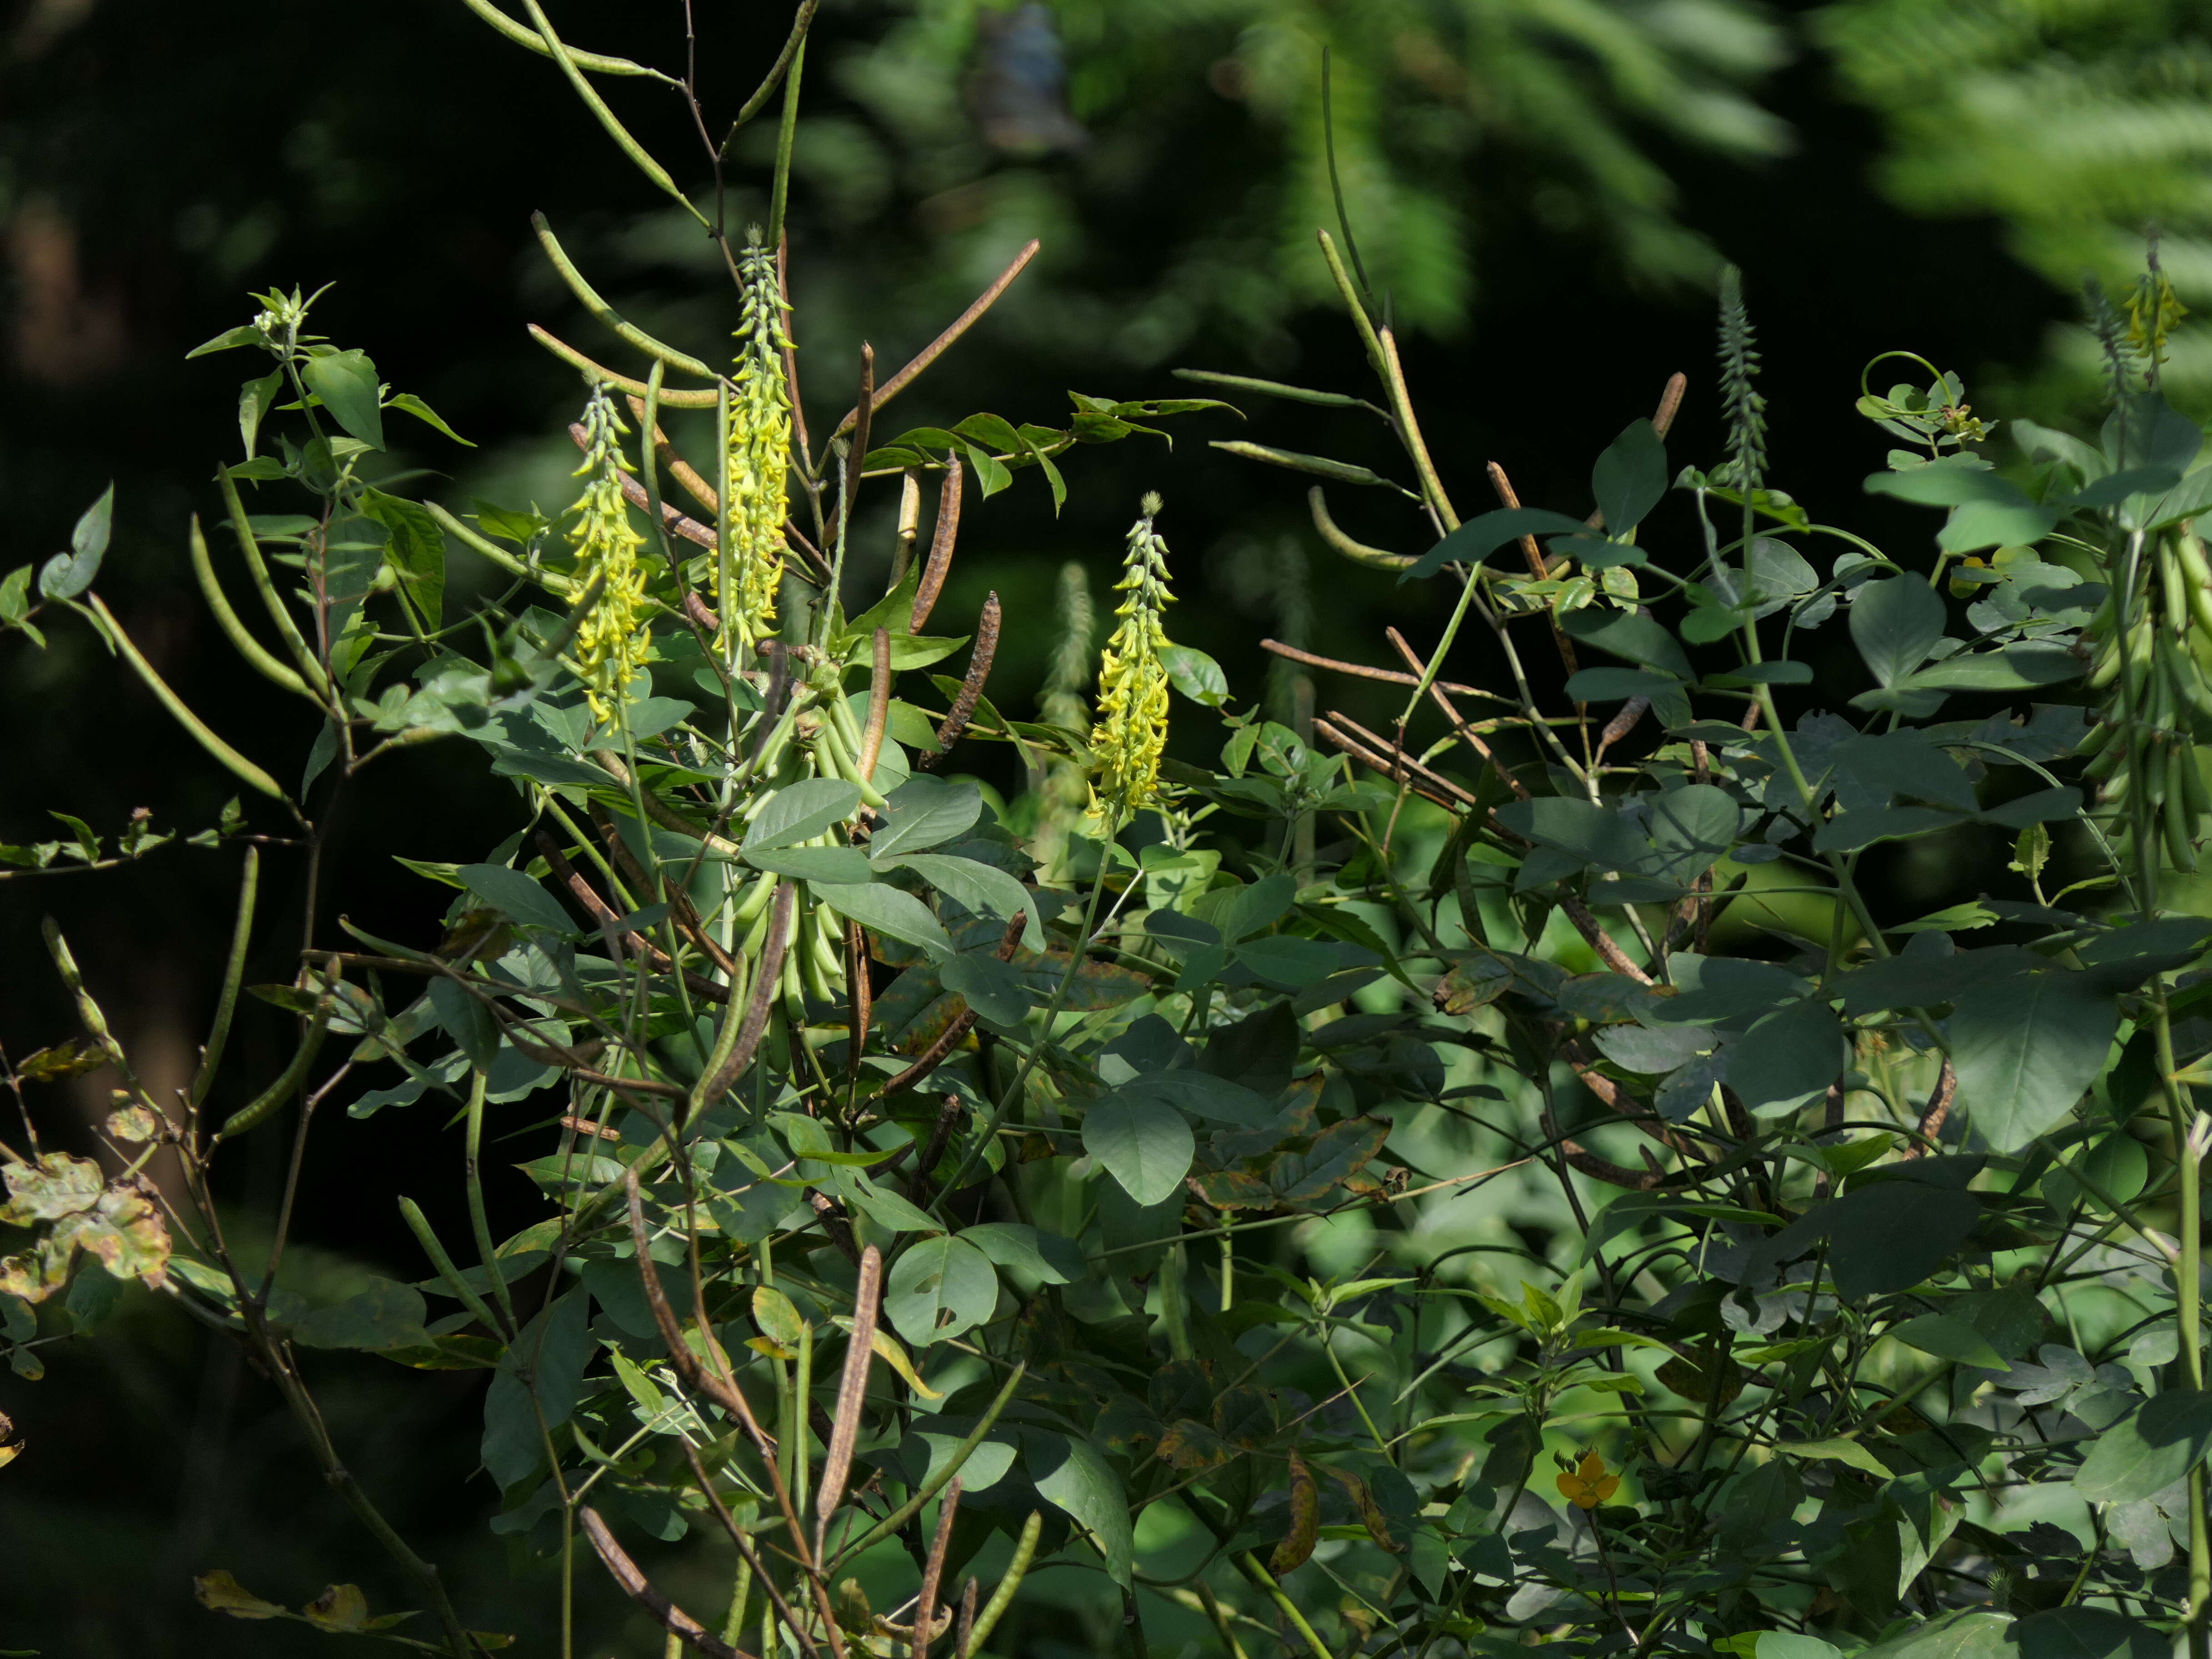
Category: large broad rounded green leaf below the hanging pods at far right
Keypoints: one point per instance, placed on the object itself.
(2027, 1050)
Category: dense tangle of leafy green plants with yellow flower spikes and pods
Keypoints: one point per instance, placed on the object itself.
(1505, 1180)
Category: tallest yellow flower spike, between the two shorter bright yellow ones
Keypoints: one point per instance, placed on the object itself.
(760, 455)
